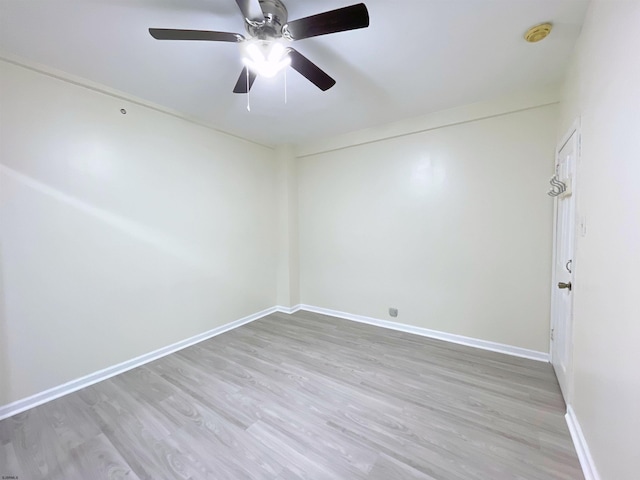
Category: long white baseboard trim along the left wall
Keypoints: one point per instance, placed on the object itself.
(79, 383)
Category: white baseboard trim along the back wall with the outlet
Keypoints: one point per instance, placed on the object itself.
(425, 332)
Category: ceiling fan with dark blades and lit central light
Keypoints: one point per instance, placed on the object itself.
(266, 50)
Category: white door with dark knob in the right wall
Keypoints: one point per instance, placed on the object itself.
(562, 300)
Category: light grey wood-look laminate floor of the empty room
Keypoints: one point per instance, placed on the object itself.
(304, 396)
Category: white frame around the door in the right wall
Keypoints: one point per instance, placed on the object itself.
(573, 130)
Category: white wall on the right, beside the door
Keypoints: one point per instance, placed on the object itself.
(603, 88)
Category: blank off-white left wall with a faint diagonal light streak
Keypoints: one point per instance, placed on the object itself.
(120, 234)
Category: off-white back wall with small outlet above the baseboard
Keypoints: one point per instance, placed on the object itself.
(451, 226)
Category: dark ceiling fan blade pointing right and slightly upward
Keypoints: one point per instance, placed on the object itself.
(340, 20)
